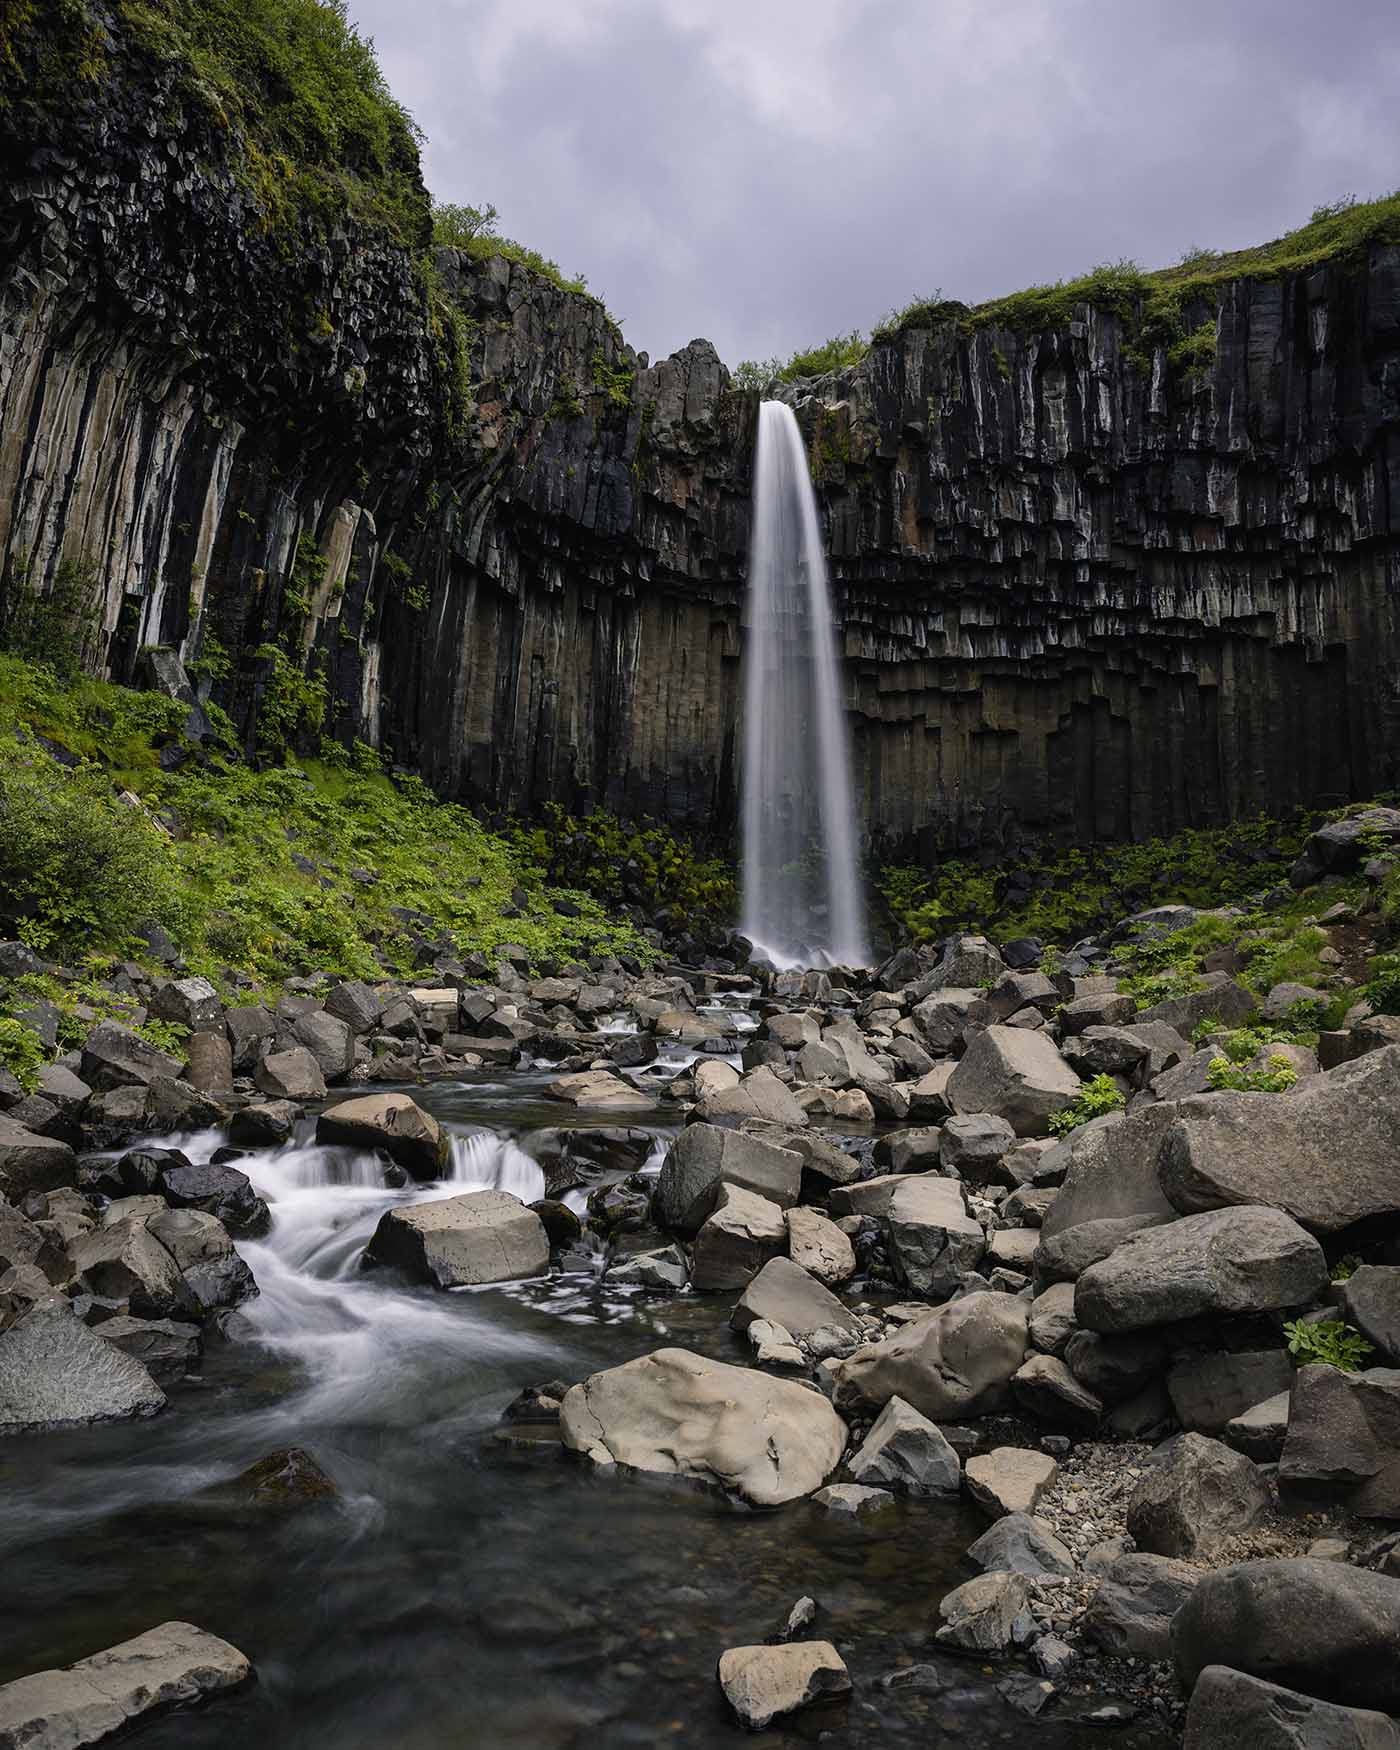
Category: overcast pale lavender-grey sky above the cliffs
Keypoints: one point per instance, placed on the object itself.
(771, 172)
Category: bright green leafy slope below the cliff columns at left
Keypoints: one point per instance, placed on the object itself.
(283, 871)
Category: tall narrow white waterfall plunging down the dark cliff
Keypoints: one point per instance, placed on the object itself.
(802, 892)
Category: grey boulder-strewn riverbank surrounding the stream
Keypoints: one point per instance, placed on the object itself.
(1156, 1348)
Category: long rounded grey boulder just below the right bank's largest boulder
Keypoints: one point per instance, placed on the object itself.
(1226, 1261)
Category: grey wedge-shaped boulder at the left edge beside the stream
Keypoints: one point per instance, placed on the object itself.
(57, 1373)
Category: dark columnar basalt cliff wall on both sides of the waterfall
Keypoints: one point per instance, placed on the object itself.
(1086, 591)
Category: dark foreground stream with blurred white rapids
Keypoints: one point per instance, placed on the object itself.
(461, 1592)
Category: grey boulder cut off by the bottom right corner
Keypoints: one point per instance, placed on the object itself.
(1231, 1711)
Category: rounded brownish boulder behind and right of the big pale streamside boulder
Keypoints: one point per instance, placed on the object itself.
(953, 1366)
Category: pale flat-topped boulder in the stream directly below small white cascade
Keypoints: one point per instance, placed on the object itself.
(459, 1242)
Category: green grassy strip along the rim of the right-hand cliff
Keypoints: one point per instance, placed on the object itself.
(1156, 298)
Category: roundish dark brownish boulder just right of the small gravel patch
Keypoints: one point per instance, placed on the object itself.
(1194, 1495)
